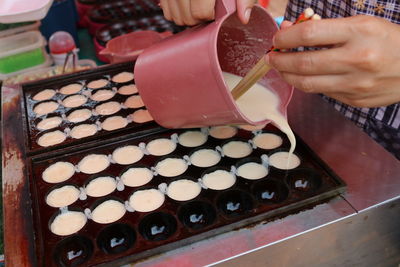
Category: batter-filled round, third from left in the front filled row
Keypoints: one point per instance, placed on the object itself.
(146, 200)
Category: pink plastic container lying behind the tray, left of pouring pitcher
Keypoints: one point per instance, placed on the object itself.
(128, 47)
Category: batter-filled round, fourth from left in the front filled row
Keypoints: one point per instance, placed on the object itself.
(183, 190)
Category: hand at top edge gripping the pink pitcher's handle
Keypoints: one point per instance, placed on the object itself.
(192, 12)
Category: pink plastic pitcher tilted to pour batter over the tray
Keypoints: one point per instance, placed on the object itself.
(180, 79)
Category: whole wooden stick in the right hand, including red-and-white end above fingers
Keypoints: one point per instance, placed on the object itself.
(261, 68)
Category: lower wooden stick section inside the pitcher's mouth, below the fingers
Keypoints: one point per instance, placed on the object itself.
(257, 72)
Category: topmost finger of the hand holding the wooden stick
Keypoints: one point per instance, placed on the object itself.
(314, 33)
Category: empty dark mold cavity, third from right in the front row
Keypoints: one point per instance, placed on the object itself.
(234, 203)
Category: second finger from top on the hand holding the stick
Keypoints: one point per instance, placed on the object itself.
(328, 61)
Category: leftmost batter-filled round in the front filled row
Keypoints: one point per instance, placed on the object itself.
(68, 223)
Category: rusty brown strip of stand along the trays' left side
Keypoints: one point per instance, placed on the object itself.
(18, 229)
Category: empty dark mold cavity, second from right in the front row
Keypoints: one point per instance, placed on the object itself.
(270, 191)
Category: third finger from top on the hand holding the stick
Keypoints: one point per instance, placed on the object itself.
(314, 83)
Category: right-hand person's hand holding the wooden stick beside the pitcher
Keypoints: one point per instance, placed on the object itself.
(361, 67)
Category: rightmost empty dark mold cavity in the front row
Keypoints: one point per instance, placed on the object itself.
(304, 180)
